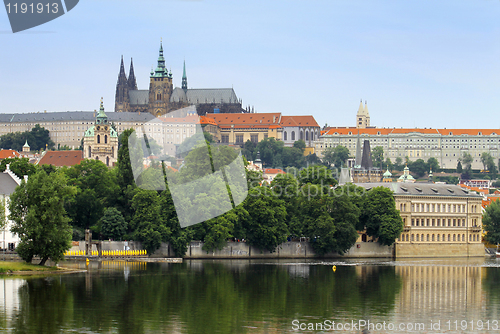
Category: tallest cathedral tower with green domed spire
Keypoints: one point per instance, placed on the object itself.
(160, 87)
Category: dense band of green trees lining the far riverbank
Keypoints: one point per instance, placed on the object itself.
(304, 203)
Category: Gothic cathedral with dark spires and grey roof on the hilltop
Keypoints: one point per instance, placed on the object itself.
(162, 97)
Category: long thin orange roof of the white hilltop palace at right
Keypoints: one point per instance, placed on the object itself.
(387, 131)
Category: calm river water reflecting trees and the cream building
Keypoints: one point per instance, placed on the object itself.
(258, 297)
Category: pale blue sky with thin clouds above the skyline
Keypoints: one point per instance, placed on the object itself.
(416, 63)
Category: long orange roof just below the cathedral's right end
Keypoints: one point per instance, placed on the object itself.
(245, 120)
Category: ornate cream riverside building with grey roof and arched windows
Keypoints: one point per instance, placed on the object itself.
(440, 220)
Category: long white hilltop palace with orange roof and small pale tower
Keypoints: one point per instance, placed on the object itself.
(446, 145)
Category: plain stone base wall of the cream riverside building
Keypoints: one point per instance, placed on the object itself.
(439, 250)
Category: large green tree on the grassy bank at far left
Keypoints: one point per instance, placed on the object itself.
(39, 218)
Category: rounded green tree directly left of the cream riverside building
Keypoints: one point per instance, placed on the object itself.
(380, 217)
